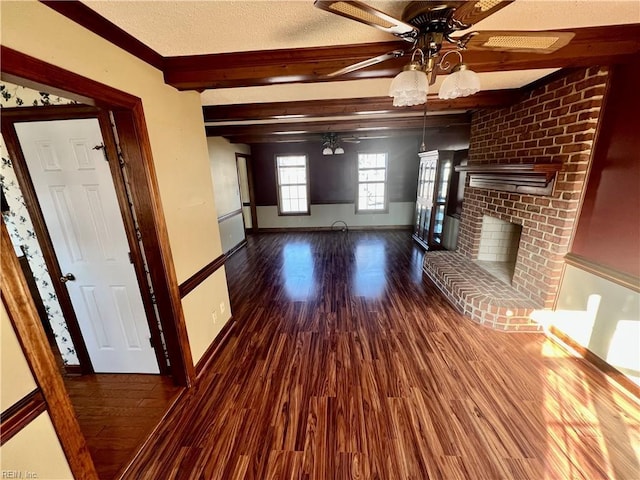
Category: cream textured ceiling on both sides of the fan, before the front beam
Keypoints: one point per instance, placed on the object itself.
(196, 27)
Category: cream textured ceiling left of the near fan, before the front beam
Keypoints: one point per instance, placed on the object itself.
(194, 27)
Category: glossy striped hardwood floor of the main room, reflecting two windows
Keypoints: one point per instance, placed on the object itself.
(347, 364)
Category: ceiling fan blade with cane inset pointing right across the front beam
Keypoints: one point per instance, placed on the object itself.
(516, 41)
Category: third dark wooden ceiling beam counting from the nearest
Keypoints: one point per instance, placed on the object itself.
(351, 127)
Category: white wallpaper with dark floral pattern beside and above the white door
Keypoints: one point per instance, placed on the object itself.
(19, 223)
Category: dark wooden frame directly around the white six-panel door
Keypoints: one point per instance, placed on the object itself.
(11, 116)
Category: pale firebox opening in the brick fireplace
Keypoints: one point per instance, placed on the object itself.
(499, 241)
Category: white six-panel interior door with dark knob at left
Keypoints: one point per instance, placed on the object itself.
(78, 200)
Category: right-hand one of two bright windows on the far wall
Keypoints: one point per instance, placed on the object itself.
(372, 182)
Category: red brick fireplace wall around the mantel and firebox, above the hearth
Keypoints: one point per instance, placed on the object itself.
(555, 123)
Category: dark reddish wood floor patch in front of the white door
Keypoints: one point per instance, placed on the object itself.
(117, 412)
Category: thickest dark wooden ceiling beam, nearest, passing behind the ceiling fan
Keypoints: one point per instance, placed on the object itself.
(590, 46)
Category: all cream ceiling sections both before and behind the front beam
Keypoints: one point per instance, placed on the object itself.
(174, 28)
